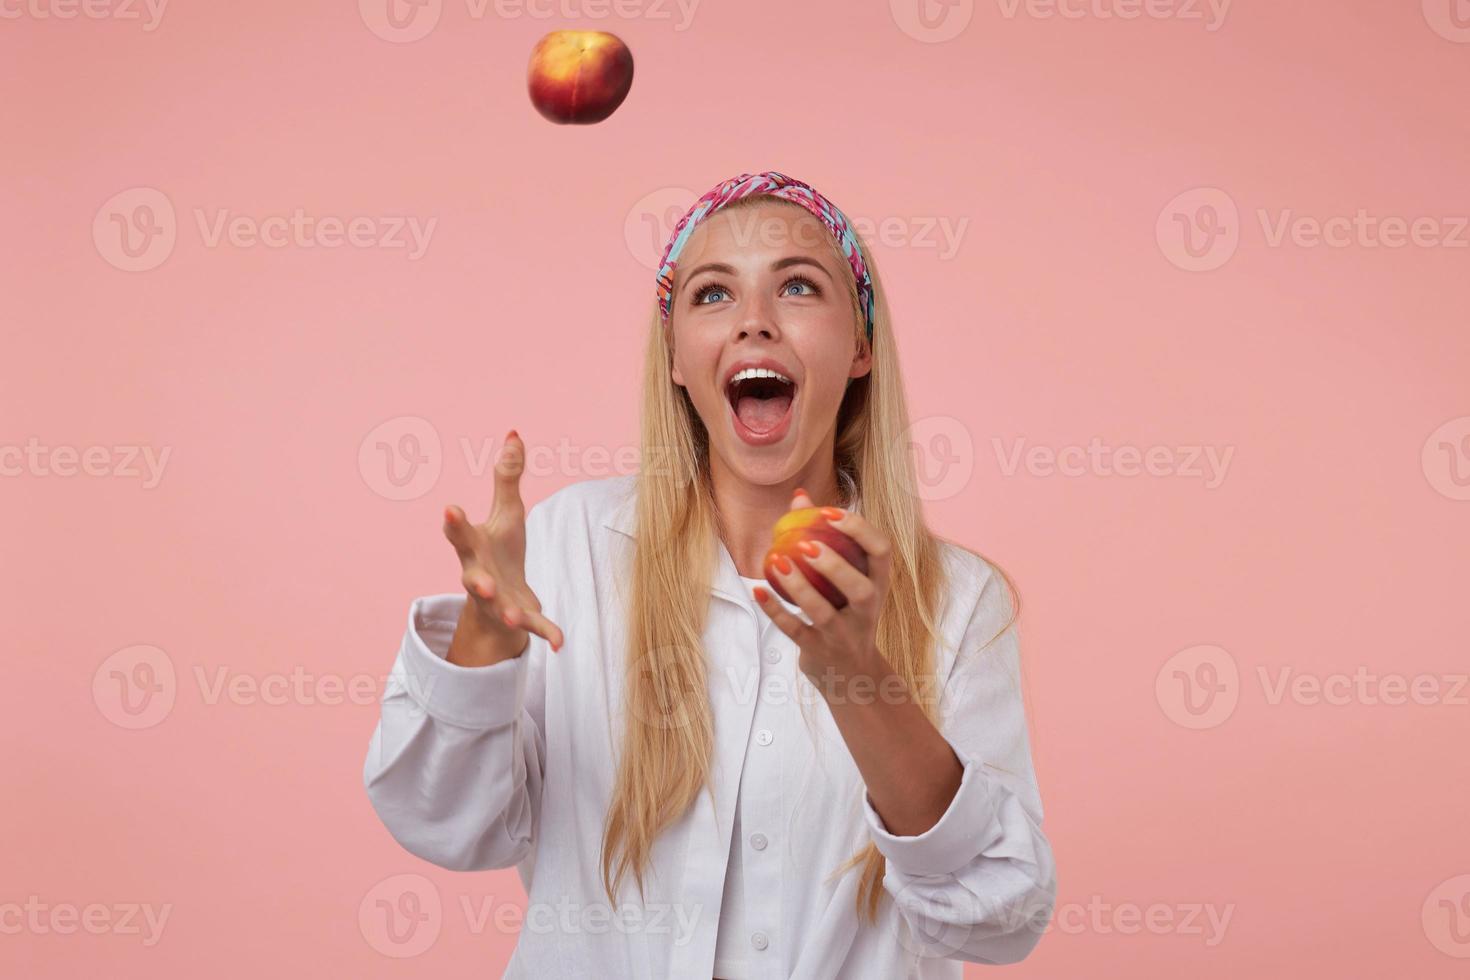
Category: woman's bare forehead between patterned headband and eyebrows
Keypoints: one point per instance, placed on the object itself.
(770, 230)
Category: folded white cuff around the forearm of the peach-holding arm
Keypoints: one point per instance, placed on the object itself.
(962, 834)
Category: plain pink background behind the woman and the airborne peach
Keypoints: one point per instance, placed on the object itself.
(1334, 835)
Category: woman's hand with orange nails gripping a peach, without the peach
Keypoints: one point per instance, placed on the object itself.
(837, 643)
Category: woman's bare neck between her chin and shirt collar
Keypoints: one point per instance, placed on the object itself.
(750, 511)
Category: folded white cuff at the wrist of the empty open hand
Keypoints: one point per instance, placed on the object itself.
(470, 697)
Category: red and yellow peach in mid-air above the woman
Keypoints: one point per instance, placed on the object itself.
(580, 77)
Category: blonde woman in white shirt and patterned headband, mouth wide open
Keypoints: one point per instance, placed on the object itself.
(695, 777)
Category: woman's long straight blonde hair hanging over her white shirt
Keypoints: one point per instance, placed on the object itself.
(670, 734)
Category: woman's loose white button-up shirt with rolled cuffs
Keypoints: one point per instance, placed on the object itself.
(514, 765)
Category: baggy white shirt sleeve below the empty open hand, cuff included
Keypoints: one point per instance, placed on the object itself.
(456, 765)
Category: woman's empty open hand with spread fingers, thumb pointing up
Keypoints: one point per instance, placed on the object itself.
(502, 609)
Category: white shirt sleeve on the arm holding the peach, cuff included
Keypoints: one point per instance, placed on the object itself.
(981, 884)
